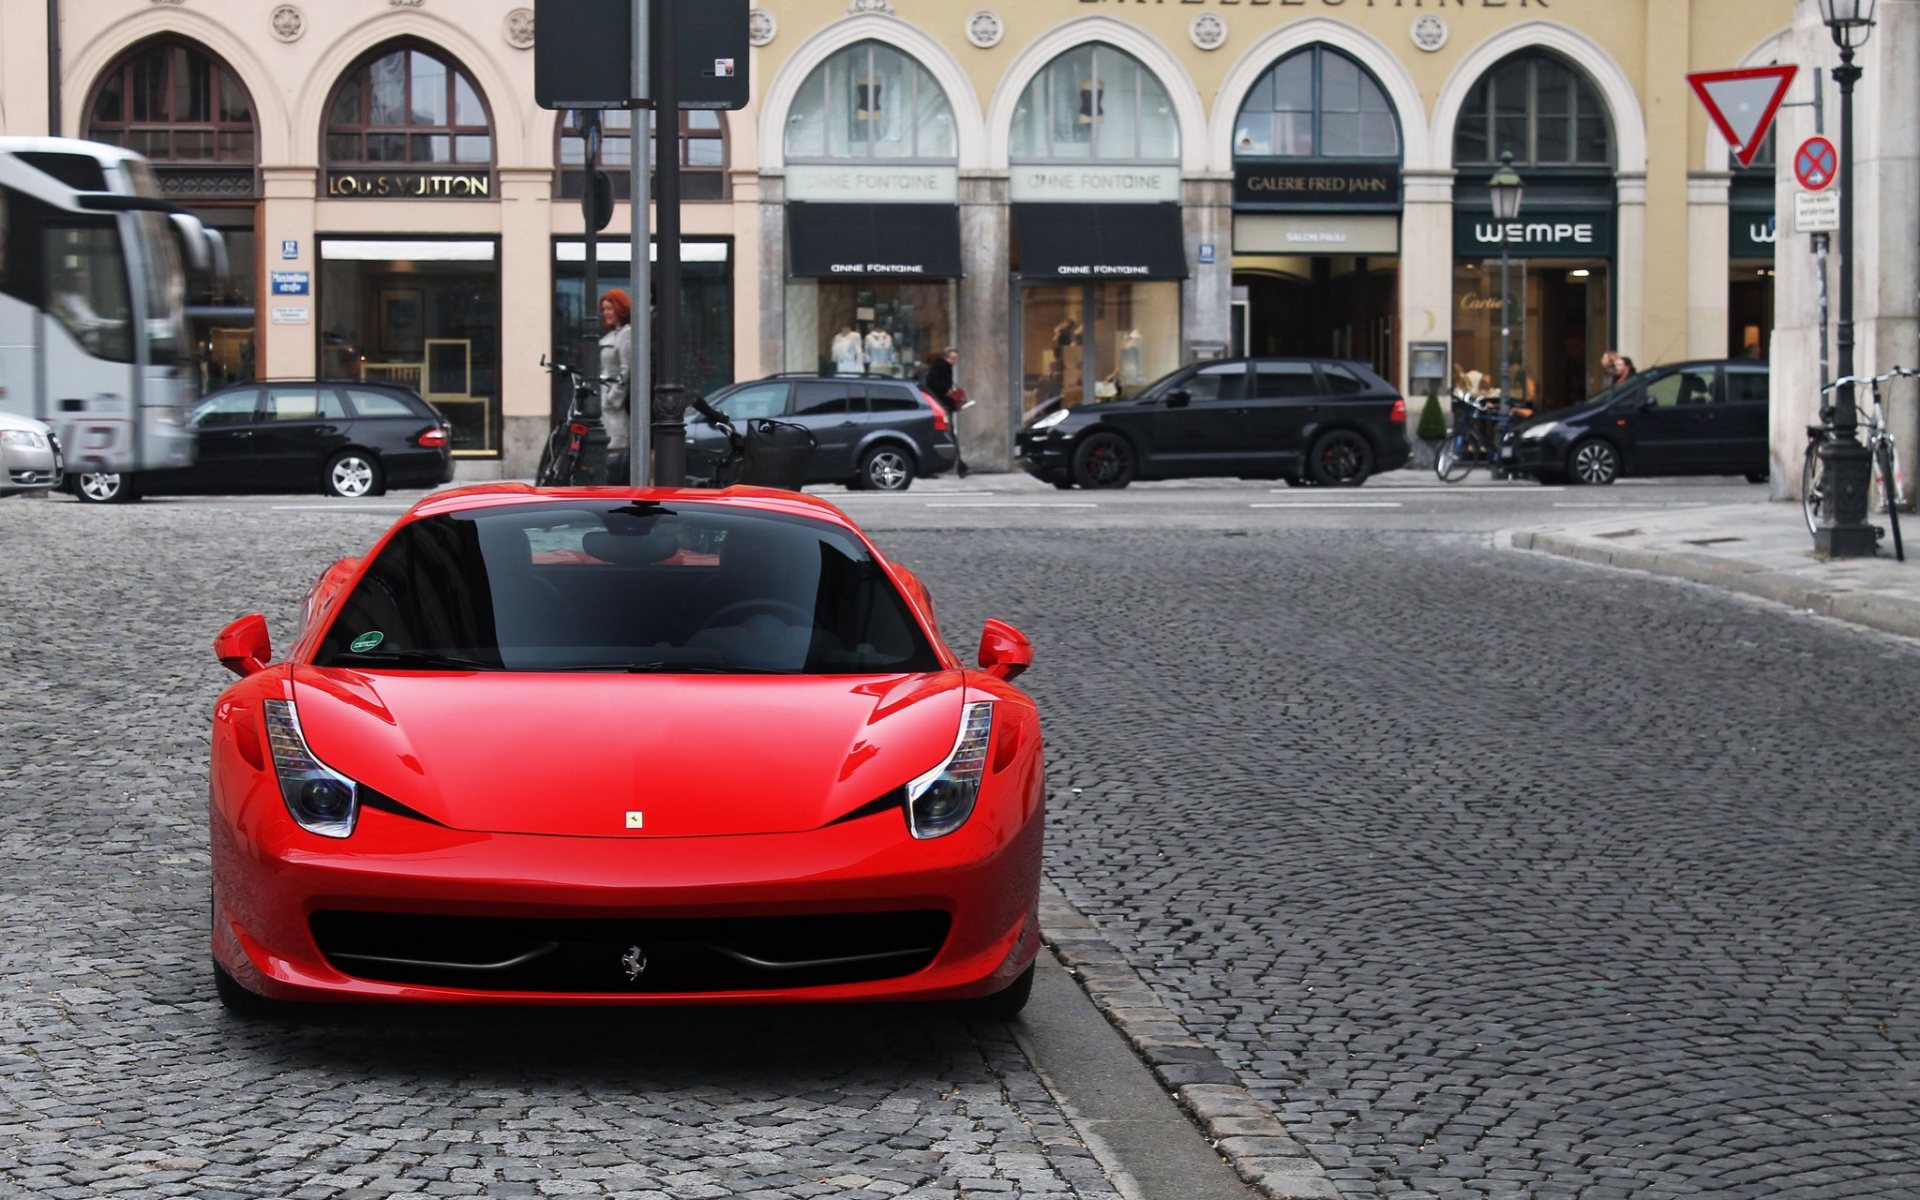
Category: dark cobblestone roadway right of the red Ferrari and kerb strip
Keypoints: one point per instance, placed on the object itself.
(1493, 875)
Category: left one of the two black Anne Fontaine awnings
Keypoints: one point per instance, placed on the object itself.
(898, 241)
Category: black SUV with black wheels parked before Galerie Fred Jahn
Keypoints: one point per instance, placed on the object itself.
(1312, 421)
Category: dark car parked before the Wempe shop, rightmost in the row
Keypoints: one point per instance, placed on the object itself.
(1704, 418)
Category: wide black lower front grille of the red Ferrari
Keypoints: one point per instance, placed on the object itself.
(640, 957)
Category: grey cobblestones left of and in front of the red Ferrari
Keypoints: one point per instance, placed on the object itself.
(120, 1076)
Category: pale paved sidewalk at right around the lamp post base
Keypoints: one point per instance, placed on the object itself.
(1756, 548)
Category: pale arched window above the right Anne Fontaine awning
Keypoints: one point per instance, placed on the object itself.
(1095, 103)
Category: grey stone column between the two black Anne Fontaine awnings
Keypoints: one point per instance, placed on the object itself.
(986, 327)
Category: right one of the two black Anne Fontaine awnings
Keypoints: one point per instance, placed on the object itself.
(1099, 241)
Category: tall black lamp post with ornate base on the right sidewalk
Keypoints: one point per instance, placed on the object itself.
(1846, 464)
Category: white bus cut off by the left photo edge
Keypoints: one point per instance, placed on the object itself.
(93, 302)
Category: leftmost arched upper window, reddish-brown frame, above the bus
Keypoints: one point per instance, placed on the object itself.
(174, 103)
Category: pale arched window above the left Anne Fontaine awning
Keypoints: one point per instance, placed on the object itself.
(875, 103)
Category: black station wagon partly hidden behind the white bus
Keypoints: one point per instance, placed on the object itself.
(343, 439)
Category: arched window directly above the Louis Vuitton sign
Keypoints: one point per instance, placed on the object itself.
(408, 107)
